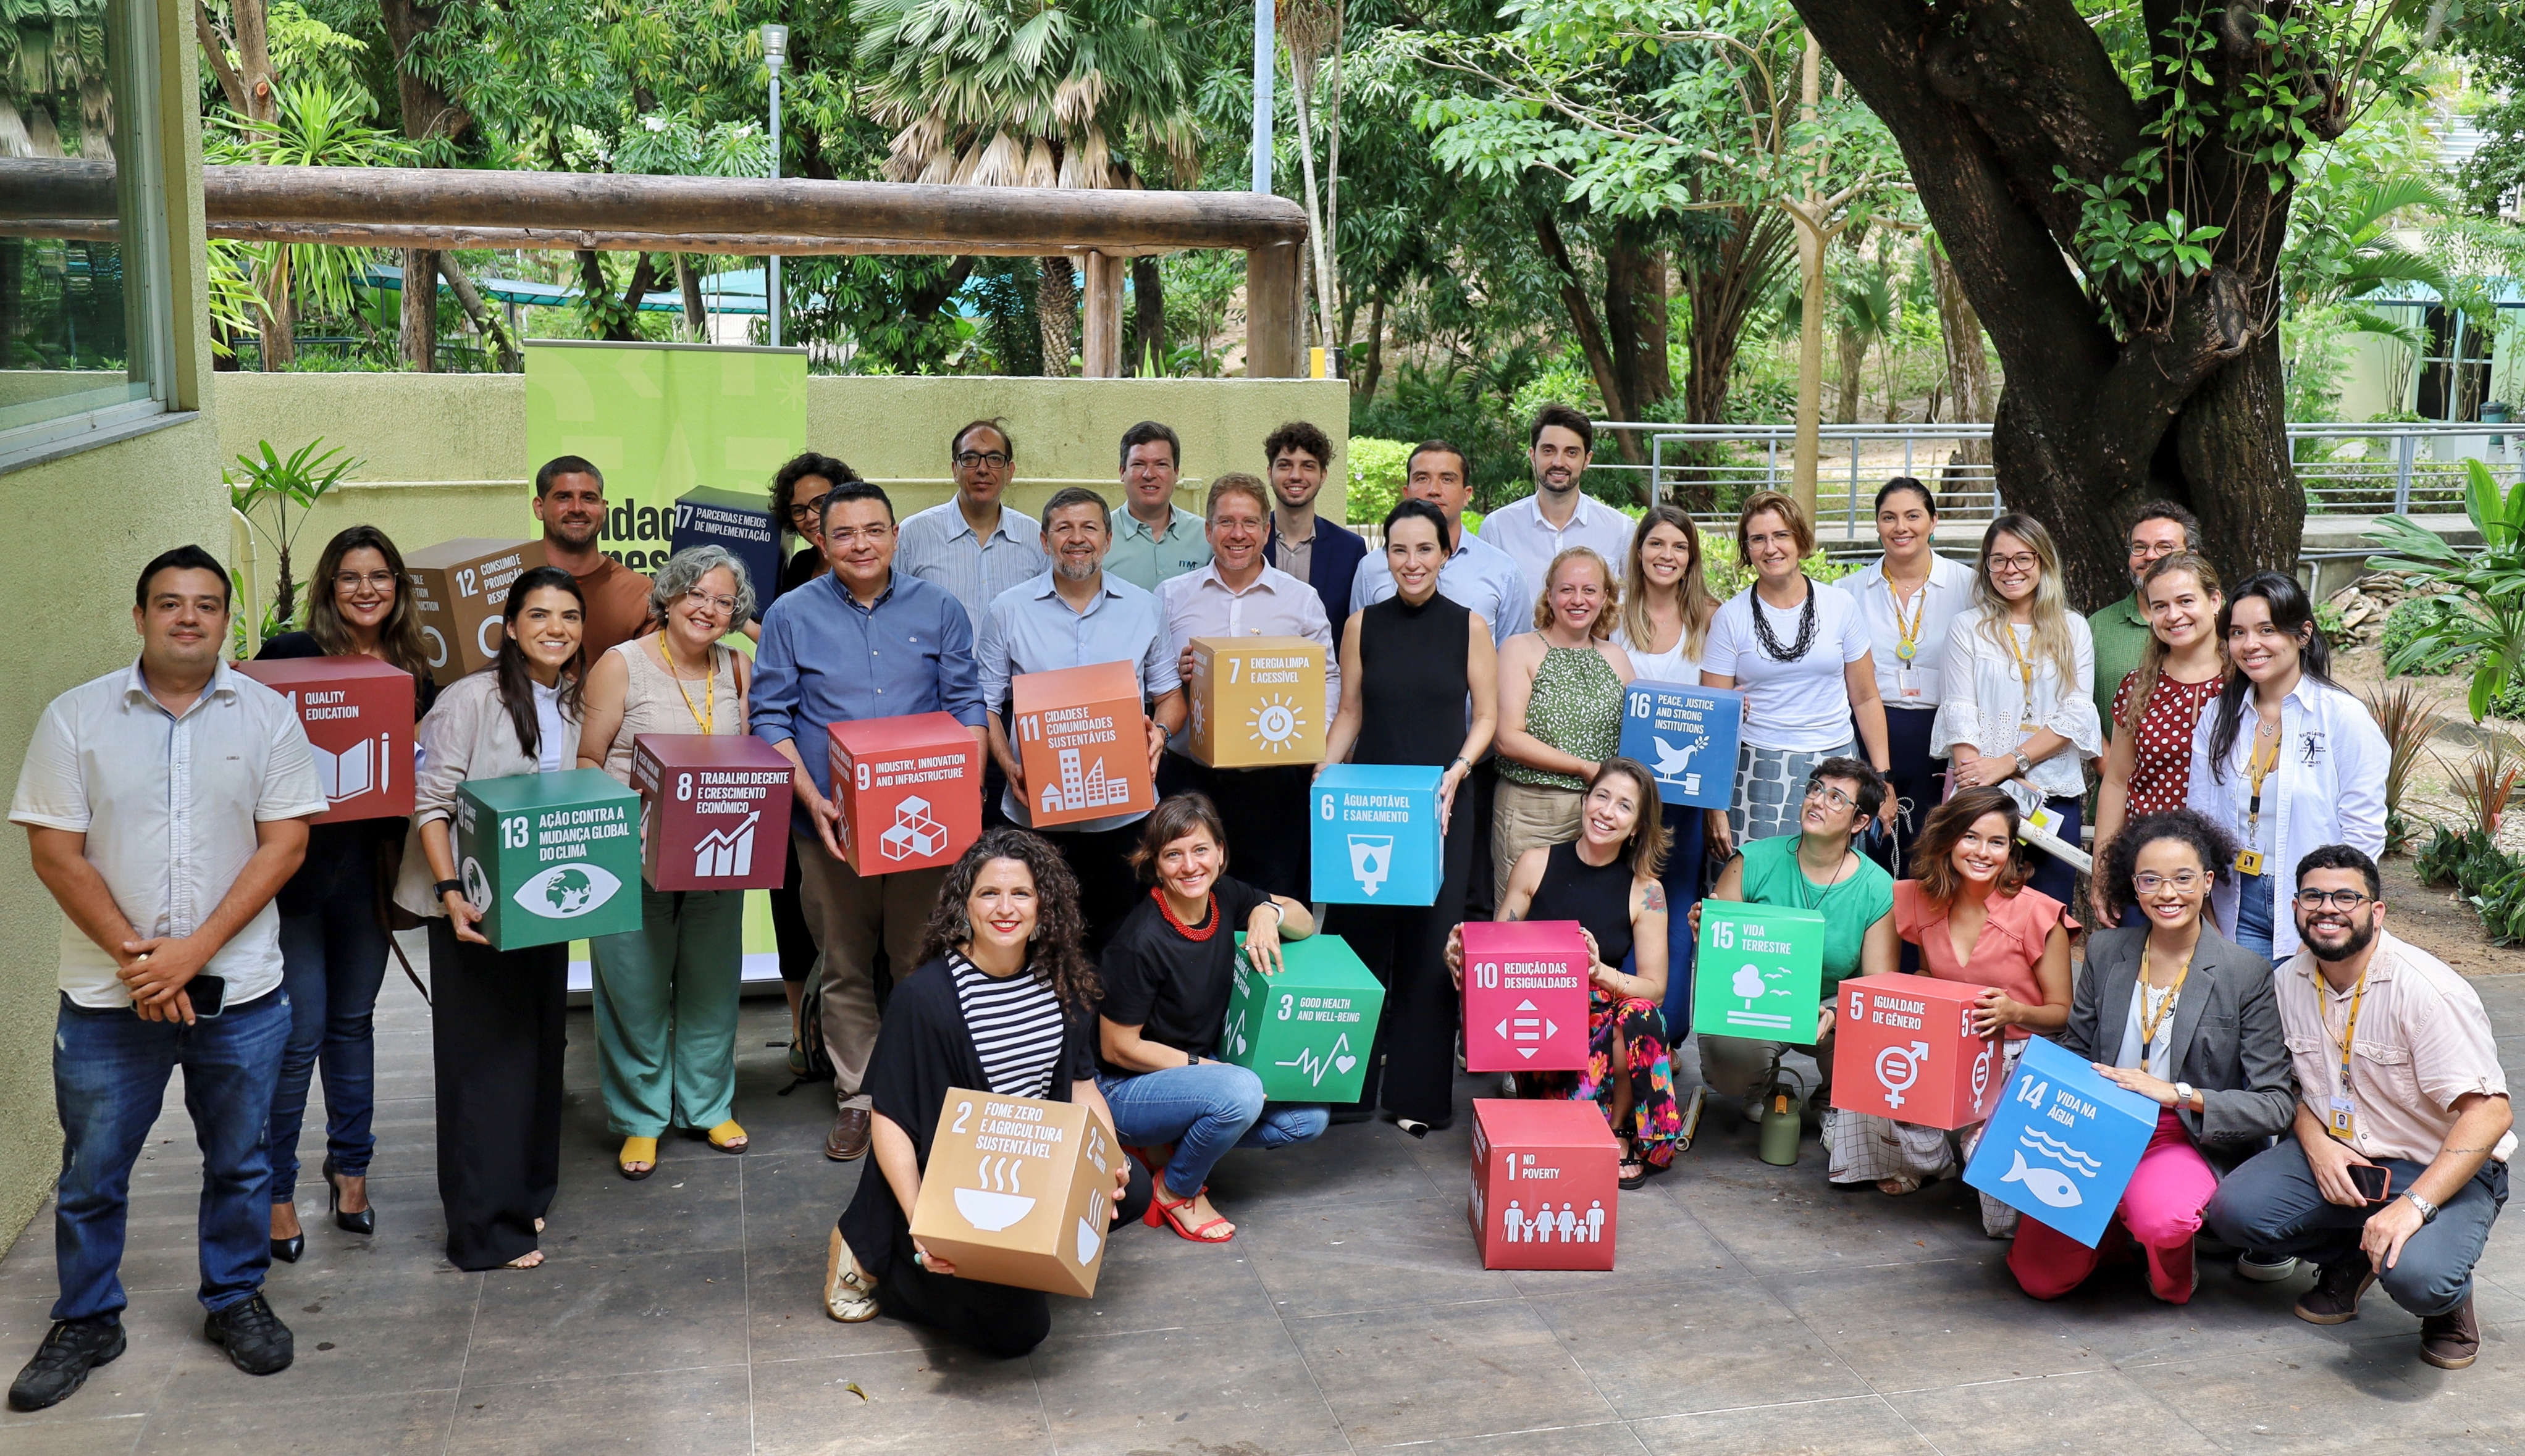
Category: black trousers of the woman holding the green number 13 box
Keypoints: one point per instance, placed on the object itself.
(499, 1028)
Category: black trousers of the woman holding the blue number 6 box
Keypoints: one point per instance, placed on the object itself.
(1405, 948)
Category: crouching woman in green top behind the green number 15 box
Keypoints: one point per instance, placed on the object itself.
(1817, 869)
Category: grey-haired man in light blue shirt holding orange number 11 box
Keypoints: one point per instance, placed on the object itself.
(1079, 614)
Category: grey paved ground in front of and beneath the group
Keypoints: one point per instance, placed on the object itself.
(1754, 1311)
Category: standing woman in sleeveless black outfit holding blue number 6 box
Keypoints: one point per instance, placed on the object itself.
(1403, 665)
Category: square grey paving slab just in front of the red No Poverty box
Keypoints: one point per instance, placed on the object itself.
(1438, 1371)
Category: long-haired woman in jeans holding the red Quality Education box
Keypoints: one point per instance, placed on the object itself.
(335, 910)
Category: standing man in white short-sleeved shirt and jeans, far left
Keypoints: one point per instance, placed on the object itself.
(165, 806)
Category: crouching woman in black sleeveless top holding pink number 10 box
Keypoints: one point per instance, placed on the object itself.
(1607, 882)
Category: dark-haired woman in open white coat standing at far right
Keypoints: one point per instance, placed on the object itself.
(2309, 773)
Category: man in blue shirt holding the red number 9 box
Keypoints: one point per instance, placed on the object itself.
(860, 642)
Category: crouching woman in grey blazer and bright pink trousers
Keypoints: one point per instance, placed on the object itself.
(2185, 1018)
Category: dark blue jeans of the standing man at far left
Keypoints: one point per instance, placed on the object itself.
(110, 1081)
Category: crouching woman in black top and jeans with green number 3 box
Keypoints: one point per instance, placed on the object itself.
(1168, 975)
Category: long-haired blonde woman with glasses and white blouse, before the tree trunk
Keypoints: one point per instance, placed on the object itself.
(2019, 688)
